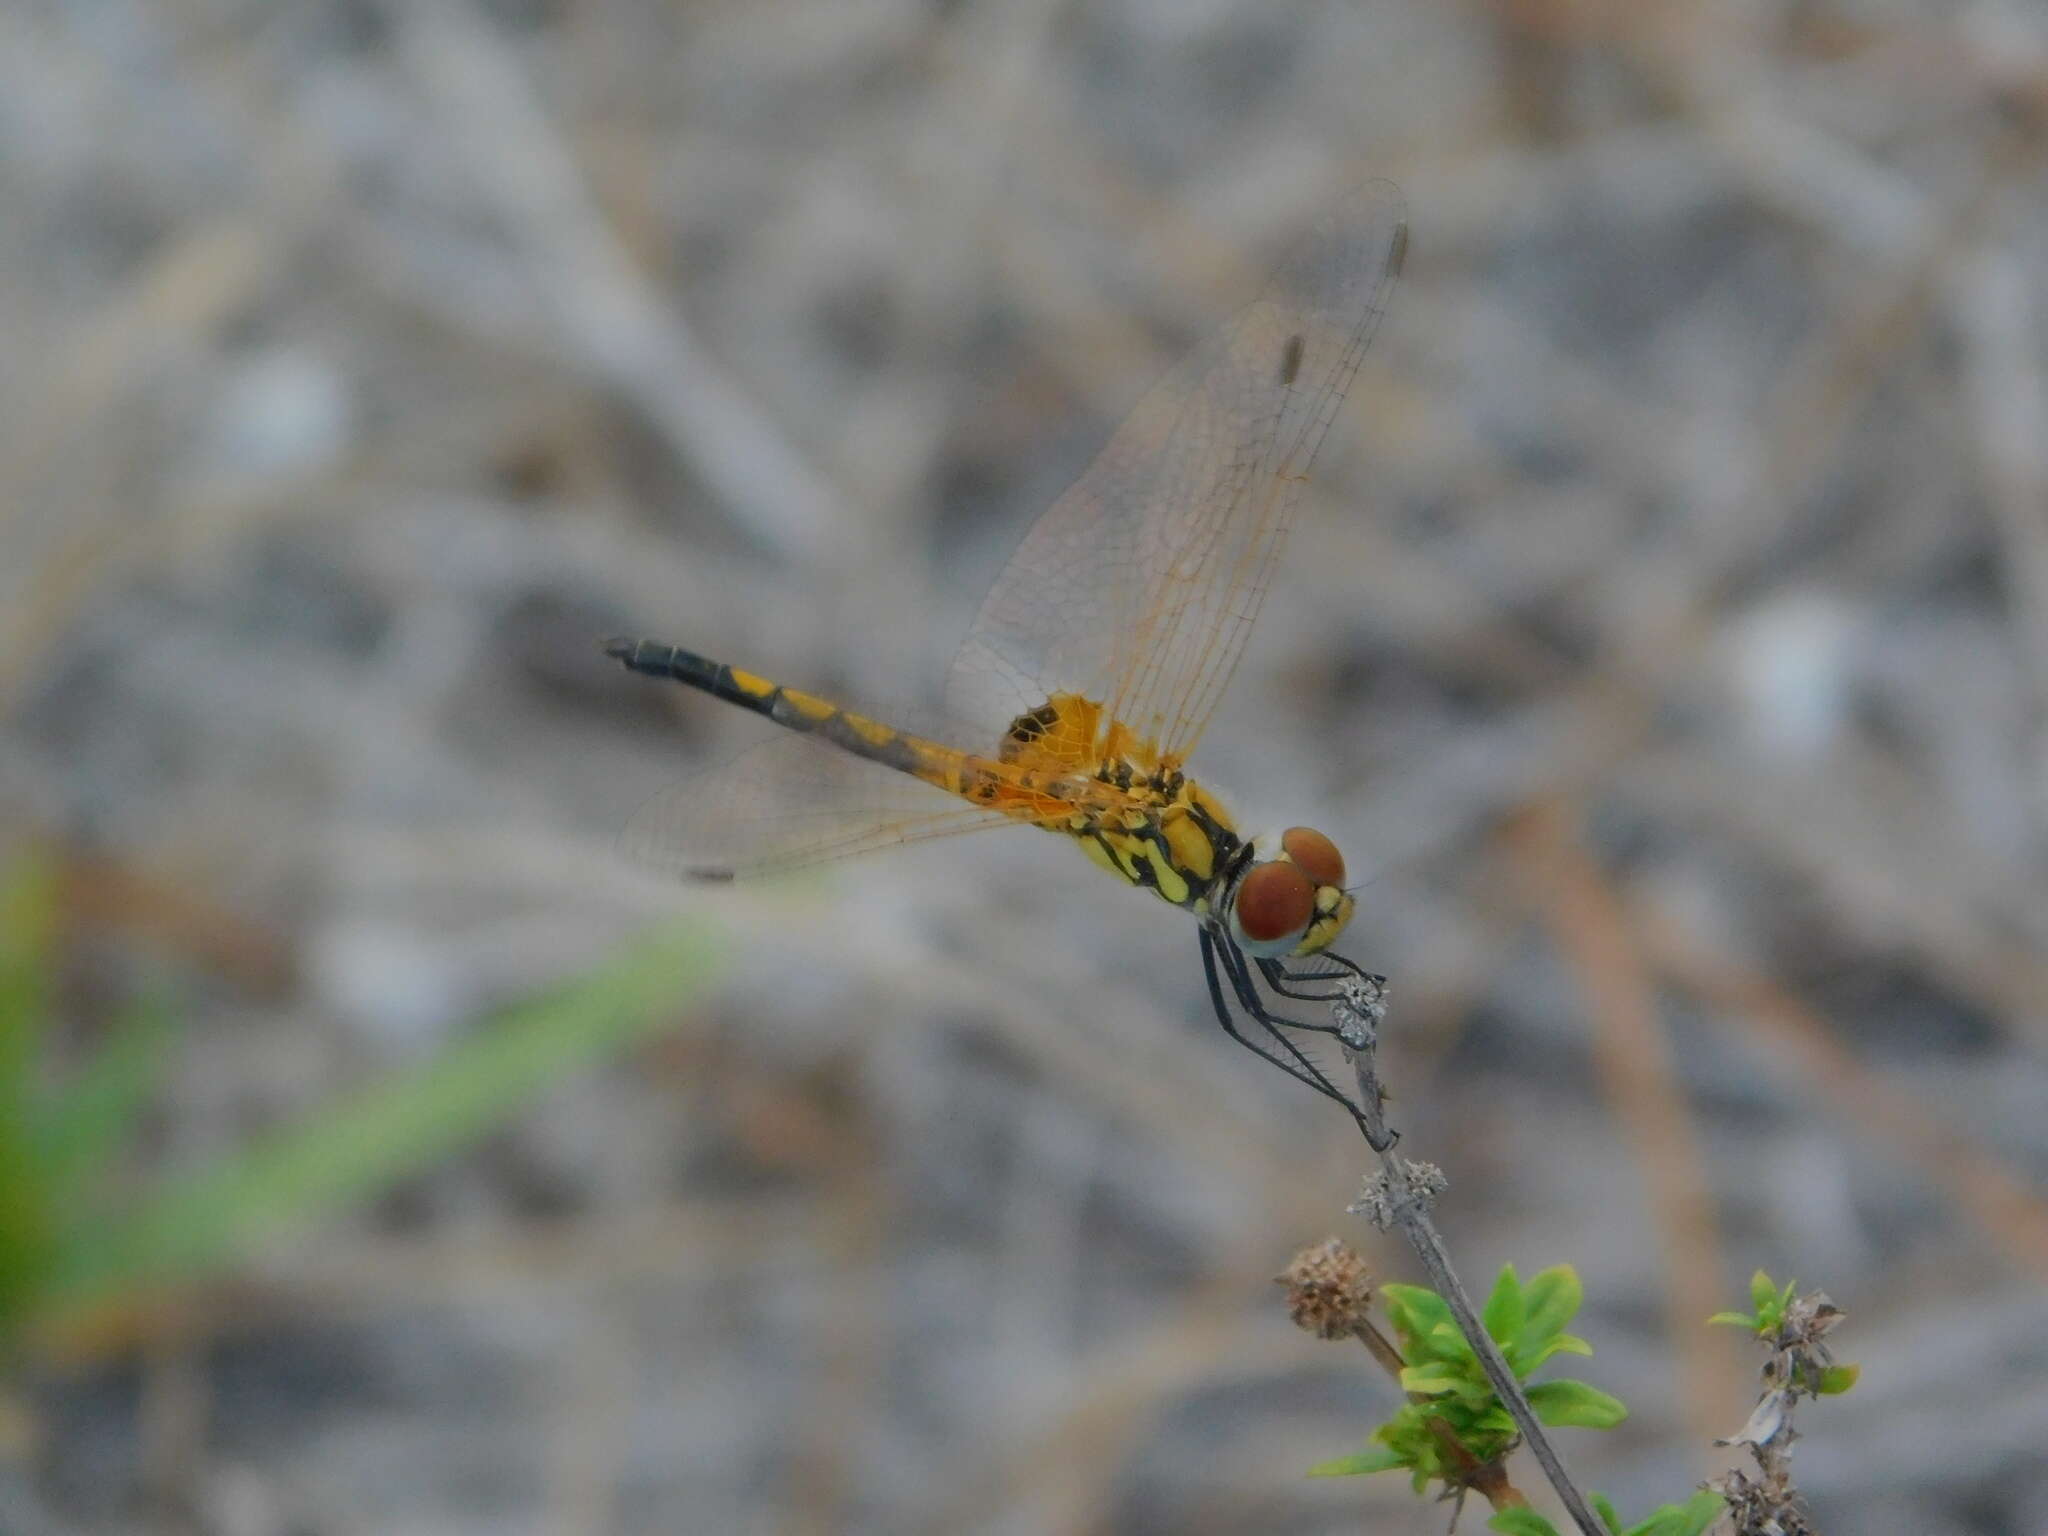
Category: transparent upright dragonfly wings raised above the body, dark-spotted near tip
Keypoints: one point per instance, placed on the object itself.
(1140, 587)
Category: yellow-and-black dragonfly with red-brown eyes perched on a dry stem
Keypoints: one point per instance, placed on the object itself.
(1097, 663)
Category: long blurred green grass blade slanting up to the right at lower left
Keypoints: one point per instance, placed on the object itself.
(388, 1132)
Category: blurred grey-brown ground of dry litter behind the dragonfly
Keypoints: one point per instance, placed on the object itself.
(1666, 640)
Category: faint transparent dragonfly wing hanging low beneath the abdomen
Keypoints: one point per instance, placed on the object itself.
(785, 806)
